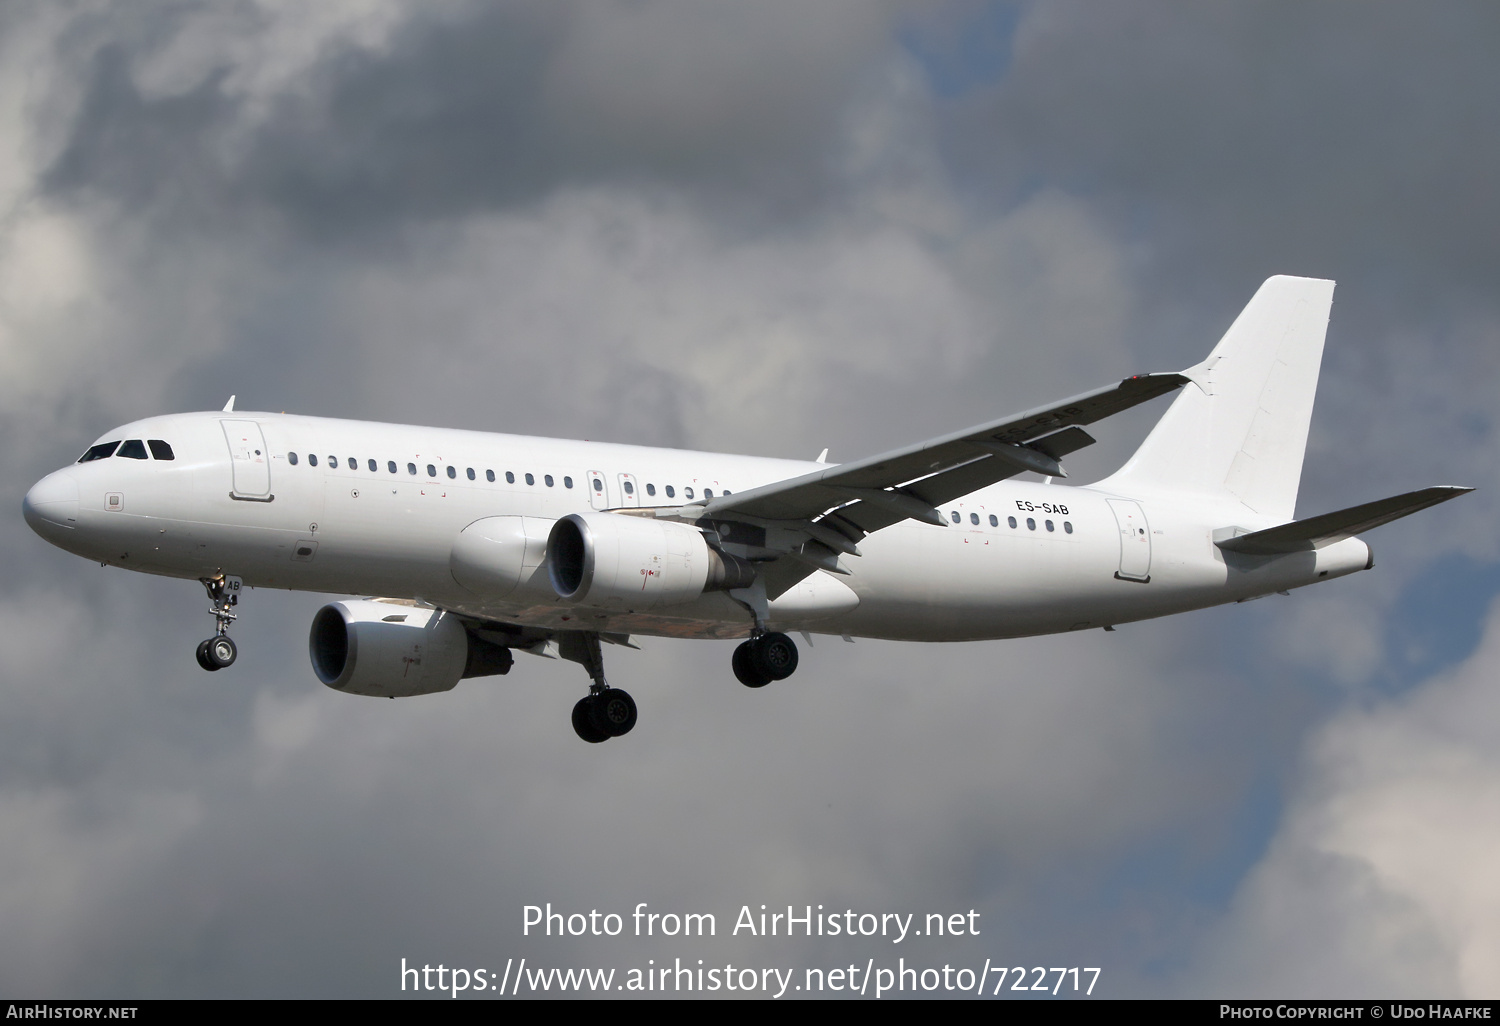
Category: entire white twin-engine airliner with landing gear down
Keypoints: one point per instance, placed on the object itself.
(481, 545)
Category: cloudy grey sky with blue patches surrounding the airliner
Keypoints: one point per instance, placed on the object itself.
(767, 229)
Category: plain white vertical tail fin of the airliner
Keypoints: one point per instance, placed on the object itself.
(1241, 428)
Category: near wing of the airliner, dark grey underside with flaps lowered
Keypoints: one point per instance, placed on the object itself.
(908, 484)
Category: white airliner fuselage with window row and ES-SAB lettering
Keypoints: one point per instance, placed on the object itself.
(353, 508)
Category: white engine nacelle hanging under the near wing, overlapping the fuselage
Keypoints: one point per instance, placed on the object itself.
(634, 563)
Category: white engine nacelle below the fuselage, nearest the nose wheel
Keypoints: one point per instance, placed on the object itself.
(392, 650)
